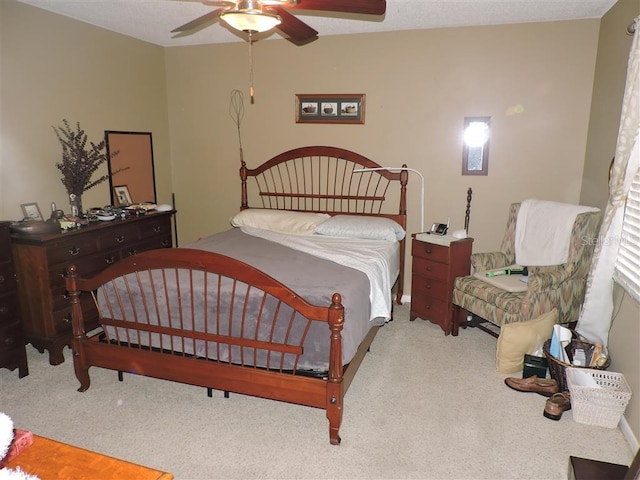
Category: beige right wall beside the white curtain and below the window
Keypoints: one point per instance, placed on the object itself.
(610, 77)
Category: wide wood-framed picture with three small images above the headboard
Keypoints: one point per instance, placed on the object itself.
(330, 108)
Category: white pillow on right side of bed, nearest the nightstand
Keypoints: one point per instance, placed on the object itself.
(362, 226)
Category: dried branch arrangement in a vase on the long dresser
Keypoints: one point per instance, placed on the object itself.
(80, 160)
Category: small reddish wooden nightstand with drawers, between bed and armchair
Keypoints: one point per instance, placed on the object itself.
(436, 262)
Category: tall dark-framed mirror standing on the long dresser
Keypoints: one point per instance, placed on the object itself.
(135, 154)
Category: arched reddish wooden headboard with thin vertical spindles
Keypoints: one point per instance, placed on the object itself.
(322, 179)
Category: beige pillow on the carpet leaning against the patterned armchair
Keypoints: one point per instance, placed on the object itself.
(518, 338)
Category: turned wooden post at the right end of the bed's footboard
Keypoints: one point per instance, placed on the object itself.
(334, 383)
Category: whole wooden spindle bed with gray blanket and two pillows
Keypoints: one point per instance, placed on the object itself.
(246, 310)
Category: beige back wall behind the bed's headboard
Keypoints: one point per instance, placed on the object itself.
(417, 94)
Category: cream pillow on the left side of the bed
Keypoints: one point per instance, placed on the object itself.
(282, 221)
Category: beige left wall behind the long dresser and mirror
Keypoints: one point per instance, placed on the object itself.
(75, 71)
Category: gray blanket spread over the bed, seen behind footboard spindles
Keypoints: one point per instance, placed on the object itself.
(312, 278)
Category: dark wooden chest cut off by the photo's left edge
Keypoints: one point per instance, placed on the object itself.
(12, 351)
